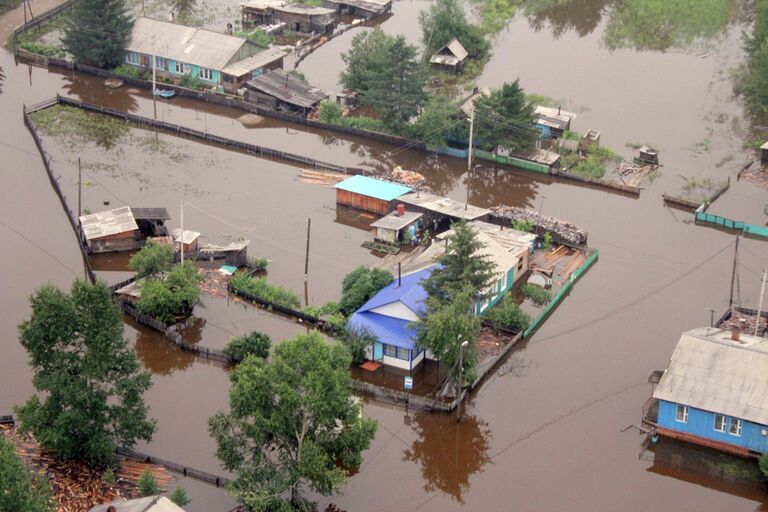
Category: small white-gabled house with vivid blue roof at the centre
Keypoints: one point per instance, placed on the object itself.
(389, 315)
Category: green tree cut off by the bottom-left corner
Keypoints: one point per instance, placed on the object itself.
(16, 490)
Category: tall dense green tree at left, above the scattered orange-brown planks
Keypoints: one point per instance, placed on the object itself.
(90, 381)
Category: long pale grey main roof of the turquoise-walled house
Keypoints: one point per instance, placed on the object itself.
(186, 44)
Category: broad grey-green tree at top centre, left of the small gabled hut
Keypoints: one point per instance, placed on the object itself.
(387, 73)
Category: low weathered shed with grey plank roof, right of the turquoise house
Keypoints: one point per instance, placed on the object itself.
(278, 90)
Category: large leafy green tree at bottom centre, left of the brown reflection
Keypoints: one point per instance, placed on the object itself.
(292, 421)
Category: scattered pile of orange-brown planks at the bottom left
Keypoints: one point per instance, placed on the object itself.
(75, 486)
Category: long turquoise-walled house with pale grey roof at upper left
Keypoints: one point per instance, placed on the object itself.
(218, 60)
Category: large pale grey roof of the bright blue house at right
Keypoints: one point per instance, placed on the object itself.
(711, 372)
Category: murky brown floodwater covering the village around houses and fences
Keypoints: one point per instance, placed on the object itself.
(545, 435)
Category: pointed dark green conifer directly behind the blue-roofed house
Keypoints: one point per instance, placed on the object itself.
(463, 266)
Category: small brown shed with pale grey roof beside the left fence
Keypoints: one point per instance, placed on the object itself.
(111, 230)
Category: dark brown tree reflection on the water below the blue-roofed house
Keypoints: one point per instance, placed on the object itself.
(449, 453)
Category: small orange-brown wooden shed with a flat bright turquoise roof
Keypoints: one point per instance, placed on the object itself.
(369, 194)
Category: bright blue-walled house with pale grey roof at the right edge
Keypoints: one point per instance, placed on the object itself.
(715, 391)
